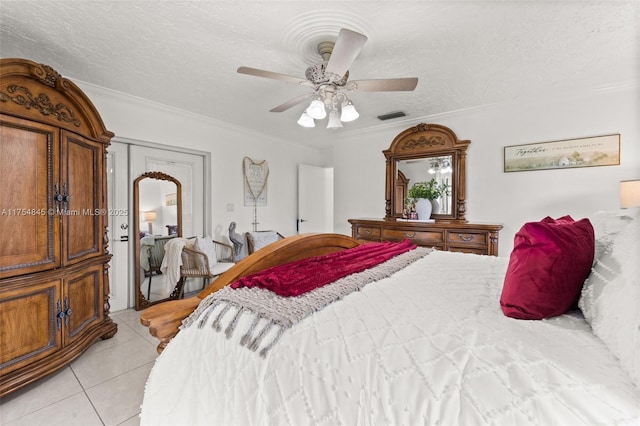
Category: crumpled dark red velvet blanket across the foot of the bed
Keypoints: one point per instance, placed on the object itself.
(296, 278)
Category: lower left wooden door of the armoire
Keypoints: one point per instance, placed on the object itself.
(30, 329)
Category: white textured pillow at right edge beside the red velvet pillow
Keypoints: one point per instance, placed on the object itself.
(610, 299)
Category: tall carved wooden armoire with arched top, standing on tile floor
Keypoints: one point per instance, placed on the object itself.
(54, 286)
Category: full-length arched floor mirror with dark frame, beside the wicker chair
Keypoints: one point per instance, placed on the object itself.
(157, 203)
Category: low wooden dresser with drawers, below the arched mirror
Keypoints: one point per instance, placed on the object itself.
(460, 236)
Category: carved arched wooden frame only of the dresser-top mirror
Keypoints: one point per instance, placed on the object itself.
(426, 141)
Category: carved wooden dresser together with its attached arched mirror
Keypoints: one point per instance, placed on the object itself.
(428, 155)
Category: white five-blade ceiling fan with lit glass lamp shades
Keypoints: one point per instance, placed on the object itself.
(328, 81)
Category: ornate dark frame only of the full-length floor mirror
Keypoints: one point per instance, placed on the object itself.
(141, 301)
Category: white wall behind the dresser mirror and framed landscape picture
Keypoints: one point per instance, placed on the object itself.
(492, 195)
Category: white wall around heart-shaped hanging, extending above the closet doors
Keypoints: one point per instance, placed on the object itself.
(133, 118)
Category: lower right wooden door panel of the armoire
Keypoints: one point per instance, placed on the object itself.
(82, 301)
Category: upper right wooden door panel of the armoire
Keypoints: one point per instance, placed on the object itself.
(81, 186)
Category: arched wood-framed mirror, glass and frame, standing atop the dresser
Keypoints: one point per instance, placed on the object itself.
(422, 153)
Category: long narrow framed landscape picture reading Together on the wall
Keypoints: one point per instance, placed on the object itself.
(582, 152)
